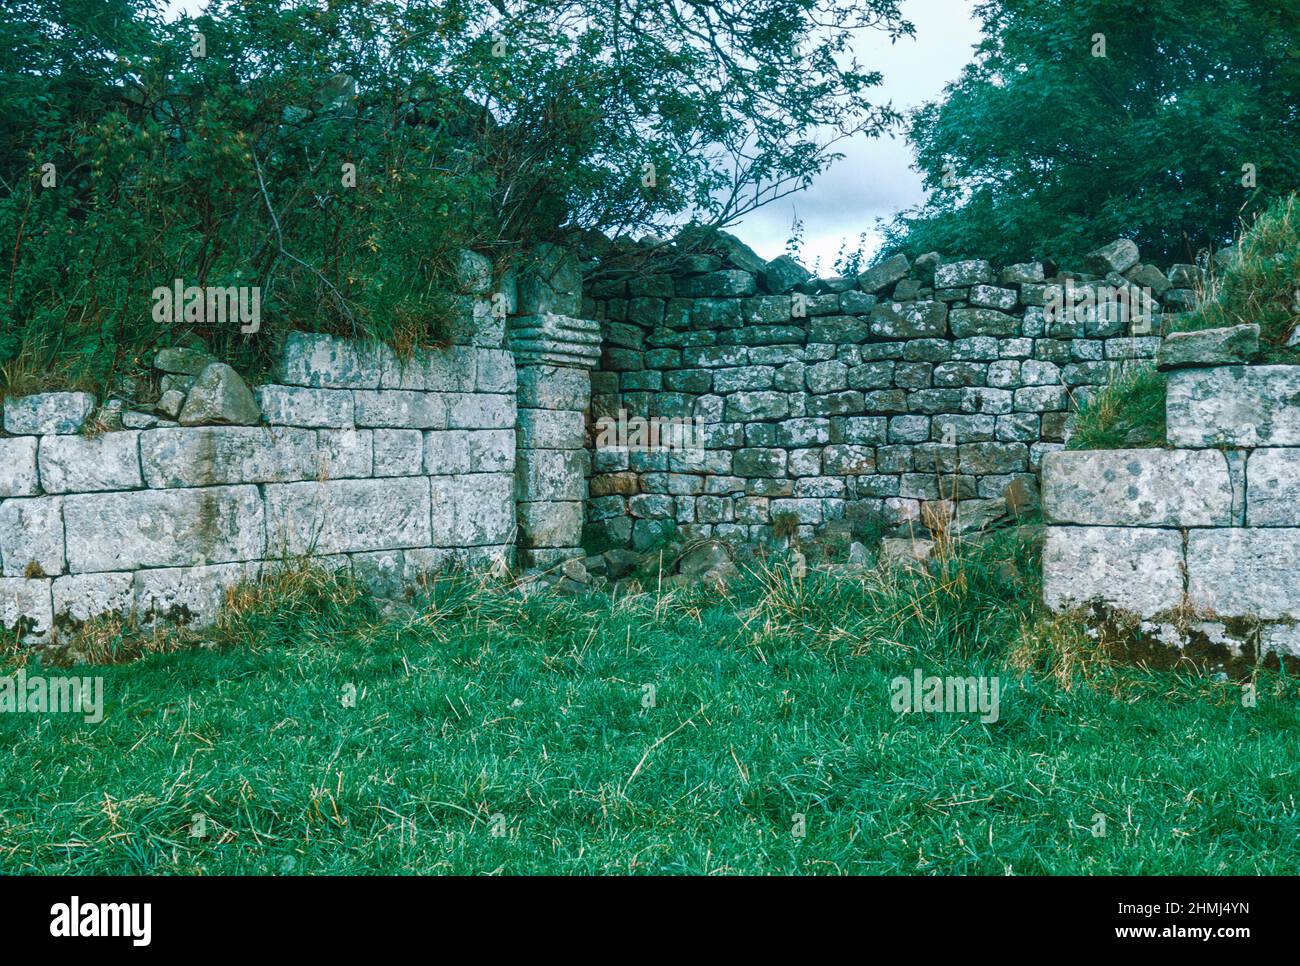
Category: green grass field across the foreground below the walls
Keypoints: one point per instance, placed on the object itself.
(770, 704)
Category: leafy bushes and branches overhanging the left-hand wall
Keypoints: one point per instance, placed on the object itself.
(478, 124)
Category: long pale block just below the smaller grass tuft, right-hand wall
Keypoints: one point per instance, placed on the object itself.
(1138, 488)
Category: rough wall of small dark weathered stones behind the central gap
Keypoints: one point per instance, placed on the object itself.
(847, 402)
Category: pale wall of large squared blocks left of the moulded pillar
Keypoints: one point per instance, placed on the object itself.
(387, 469)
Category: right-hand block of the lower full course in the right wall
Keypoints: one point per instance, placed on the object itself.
(1245, 573)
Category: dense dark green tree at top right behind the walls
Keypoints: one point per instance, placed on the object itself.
(1081, 122)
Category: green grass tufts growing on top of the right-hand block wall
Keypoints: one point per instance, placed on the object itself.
(1260, 285)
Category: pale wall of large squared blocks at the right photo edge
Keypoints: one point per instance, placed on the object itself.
(1198, 544)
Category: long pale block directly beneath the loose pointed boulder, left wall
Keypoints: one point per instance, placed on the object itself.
(218, 456)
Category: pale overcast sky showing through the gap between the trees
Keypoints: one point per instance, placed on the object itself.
(876, 177)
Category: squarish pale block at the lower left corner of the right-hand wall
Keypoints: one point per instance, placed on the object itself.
(1137, 570)
